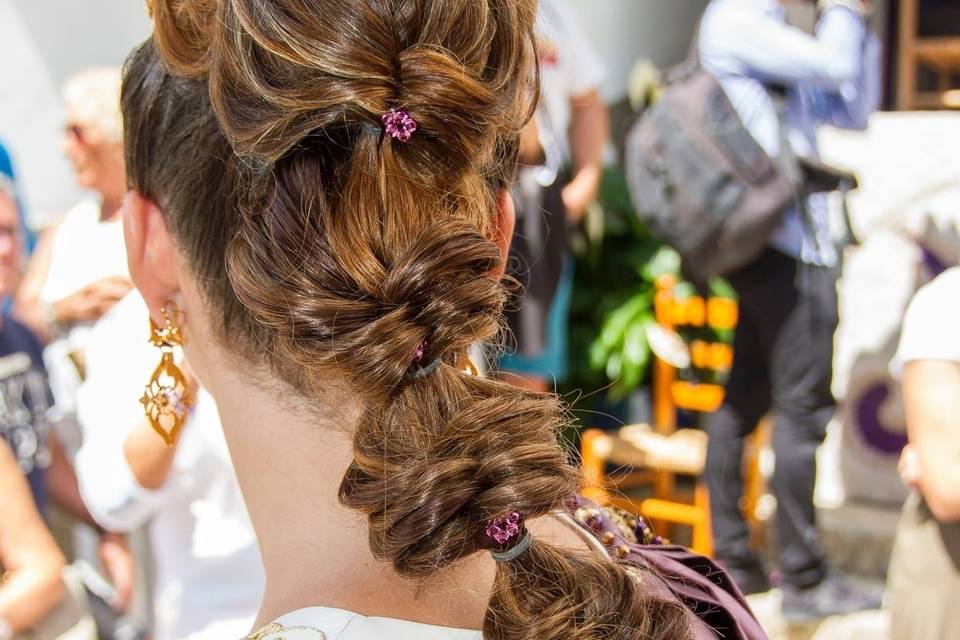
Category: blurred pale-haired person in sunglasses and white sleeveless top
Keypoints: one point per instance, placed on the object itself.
(78, 270)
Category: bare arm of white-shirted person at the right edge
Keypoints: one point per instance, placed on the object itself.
(931, 395)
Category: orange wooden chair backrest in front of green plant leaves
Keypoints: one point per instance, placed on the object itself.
(675, 314)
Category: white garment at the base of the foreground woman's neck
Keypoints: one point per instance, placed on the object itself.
(323, 623)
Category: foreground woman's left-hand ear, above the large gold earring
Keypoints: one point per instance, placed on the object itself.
(151, 254)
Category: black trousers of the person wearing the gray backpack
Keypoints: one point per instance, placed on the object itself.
(783, 361)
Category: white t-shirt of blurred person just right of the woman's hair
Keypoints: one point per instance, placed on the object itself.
(569, 68)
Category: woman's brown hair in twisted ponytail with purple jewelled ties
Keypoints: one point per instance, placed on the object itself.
(349, 251)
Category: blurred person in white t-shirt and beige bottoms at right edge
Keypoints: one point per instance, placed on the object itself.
(924, 576)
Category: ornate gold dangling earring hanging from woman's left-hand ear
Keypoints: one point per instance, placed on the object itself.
(167, 399)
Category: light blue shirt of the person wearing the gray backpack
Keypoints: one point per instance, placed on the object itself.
(832, 77)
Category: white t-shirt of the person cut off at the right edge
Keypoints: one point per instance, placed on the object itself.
(931, 326)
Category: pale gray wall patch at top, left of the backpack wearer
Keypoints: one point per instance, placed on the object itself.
(627, 30)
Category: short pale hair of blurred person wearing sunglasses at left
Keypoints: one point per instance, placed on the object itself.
(93, 95)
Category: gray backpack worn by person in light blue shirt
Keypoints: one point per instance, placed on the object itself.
(700, 181)
